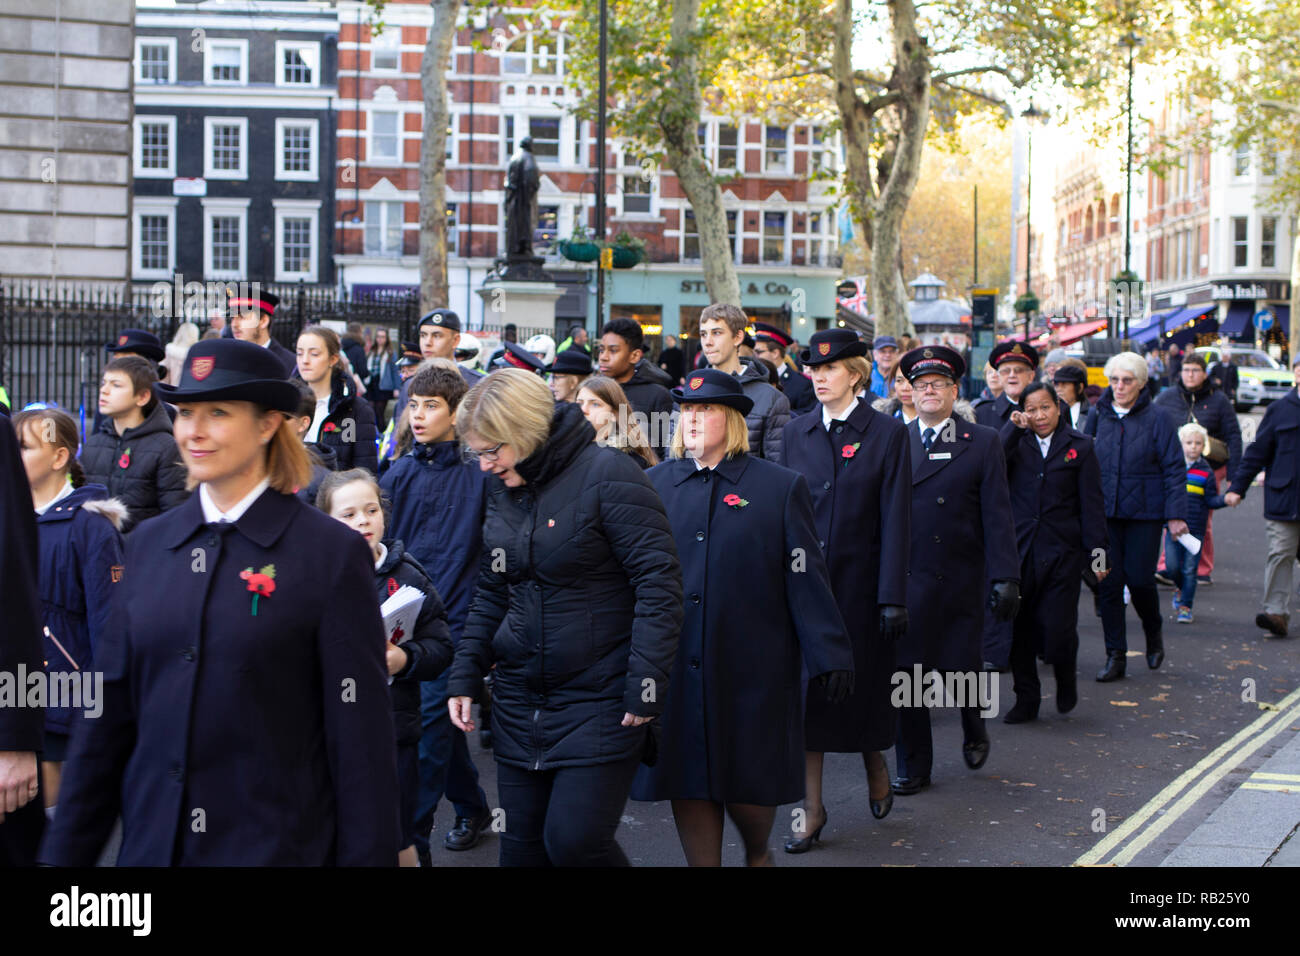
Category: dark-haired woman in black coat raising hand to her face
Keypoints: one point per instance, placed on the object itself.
(1060, 533)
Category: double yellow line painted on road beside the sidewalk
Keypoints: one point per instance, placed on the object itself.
(1121, 846)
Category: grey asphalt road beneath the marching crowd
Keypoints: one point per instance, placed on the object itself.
(1046, 785)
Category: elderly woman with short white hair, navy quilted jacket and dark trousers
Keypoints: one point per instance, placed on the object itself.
(1143, 482)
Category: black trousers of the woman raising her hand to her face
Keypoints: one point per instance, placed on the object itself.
(1047, 624)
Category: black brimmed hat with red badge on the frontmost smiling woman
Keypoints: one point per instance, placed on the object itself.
(231, 370)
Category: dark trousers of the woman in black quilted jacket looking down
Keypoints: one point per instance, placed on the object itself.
(565, 817)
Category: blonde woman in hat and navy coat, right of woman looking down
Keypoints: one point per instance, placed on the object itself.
(733, 725)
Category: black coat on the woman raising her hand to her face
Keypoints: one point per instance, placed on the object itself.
(1060, 529)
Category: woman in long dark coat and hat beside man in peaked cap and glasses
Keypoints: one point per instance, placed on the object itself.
(859, 469)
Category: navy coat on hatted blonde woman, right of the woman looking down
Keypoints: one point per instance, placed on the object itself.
(757, 596)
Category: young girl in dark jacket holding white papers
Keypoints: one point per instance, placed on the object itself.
(354, 499)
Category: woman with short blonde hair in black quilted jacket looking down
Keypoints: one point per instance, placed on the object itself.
(579, 607)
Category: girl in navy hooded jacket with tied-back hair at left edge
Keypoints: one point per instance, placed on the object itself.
(81, 559)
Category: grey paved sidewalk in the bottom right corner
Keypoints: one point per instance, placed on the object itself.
(1259, 825)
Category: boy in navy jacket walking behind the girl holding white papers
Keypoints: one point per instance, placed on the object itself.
(439, 503)
